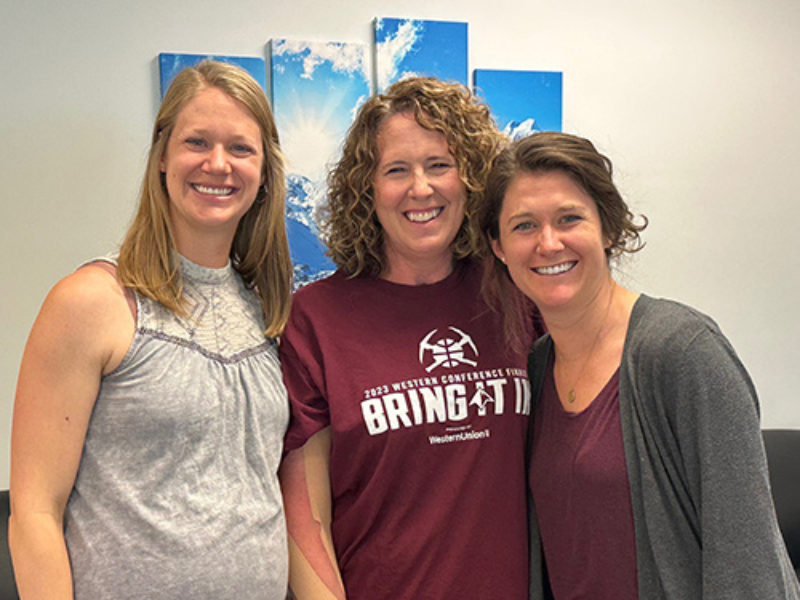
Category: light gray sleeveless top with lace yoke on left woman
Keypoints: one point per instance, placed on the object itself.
(177, 493)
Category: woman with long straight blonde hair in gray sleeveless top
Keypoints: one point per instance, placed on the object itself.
(150, 411)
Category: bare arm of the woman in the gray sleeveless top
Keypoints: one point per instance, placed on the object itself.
(82, 332)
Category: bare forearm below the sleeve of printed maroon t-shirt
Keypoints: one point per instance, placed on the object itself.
(305, 481)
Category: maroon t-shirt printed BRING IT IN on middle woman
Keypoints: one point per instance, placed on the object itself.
(428, 416)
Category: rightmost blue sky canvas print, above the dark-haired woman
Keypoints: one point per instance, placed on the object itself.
(522, 101)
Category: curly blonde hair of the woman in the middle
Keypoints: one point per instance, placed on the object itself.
(349, 225)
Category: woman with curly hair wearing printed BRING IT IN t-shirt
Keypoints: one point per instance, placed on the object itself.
(404, 476)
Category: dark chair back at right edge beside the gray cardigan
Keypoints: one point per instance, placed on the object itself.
(783, 457)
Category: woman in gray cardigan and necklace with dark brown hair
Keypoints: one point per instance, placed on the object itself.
(647, 468)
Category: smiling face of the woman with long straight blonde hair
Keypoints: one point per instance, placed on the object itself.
(213, 168)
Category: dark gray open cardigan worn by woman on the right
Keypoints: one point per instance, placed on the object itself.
(705, 526)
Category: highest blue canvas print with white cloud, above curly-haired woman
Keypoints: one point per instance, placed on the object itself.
(406, 47)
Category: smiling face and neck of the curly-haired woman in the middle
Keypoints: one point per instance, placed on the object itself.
(419, 199)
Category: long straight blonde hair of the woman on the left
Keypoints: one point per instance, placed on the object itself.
(260, 250)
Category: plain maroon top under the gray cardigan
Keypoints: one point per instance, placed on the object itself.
(580, 489)
